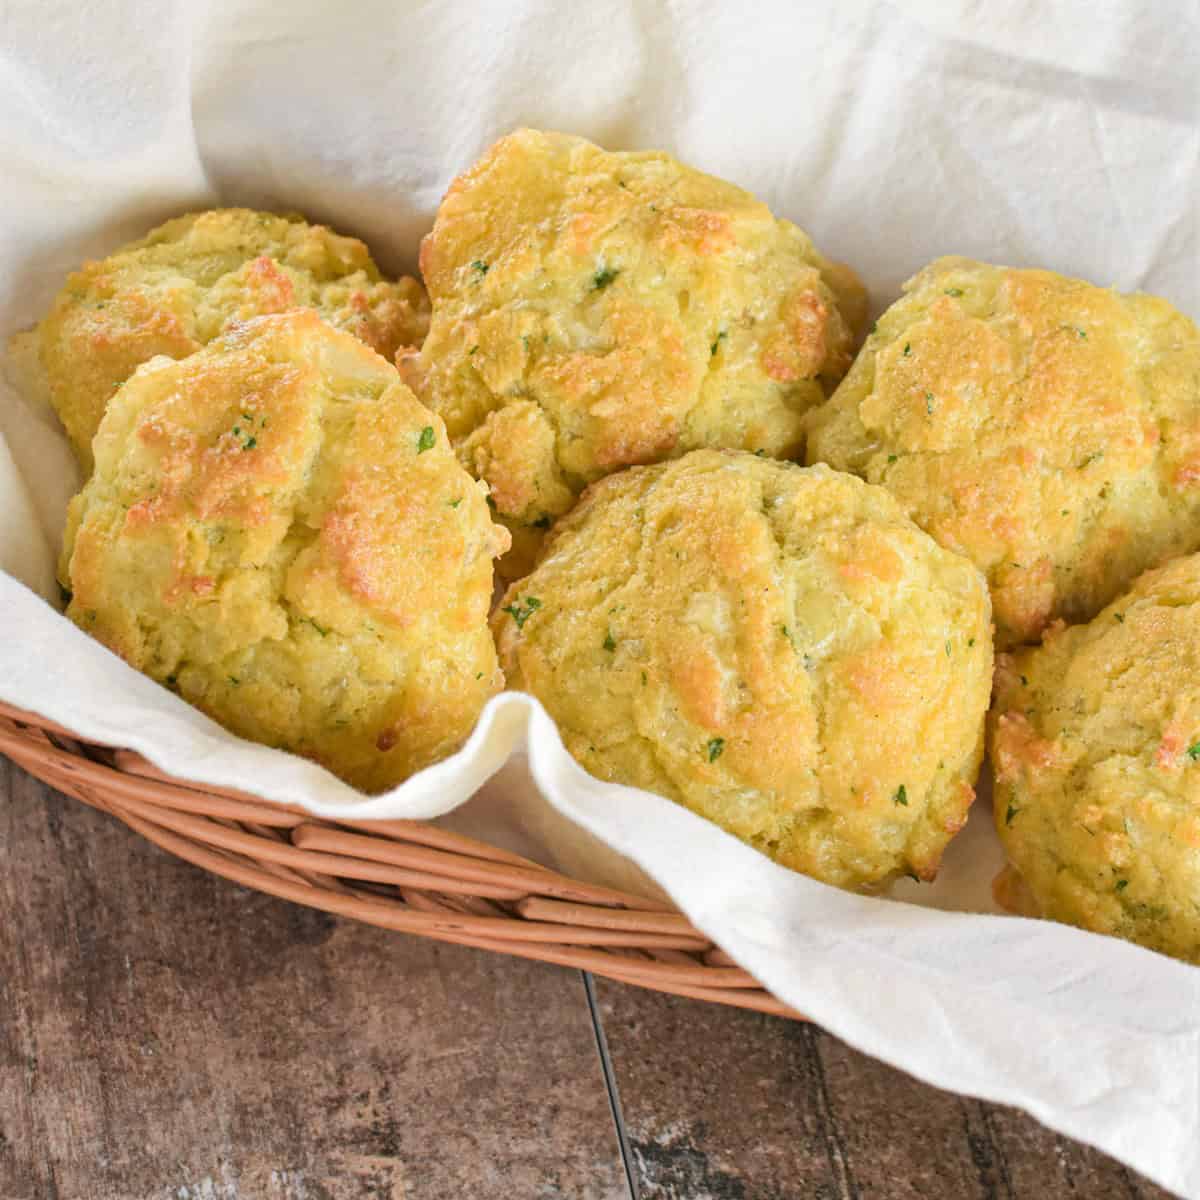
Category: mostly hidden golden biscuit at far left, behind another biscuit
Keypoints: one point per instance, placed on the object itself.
(176, 290)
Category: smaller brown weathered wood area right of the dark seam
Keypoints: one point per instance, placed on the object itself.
(731, 1106)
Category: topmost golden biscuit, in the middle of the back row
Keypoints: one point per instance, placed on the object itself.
(596, 310)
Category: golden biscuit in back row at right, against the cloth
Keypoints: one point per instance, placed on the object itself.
(1047, 429)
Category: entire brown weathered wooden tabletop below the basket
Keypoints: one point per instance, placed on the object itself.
(169, 1036)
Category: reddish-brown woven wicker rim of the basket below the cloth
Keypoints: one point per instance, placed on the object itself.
(407, 877)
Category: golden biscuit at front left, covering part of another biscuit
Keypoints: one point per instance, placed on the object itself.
(281, 533)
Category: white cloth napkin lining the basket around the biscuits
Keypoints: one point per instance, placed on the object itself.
(1064, 135)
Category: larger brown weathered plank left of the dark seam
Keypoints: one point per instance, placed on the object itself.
(167, 1035)
